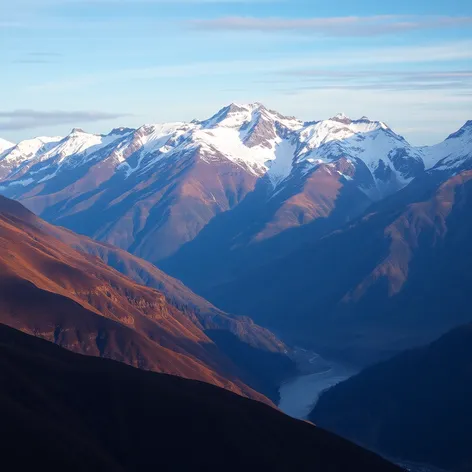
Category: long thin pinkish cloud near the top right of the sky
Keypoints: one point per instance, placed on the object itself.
(334, 26)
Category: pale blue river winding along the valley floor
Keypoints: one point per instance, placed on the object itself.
(299, 395)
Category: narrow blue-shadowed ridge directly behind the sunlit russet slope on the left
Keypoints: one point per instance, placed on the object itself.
(238, 337)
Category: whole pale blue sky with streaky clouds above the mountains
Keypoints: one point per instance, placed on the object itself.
(98, 64)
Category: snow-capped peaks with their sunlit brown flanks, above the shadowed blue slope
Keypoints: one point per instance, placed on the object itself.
(160, 184)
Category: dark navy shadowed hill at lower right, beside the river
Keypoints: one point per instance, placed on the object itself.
(415, 407)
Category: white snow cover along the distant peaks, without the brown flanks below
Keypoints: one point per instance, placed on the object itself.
(262, 141)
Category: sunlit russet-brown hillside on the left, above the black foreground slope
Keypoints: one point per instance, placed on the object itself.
(75, 300)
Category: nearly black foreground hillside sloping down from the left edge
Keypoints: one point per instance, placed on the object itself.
(65, 411)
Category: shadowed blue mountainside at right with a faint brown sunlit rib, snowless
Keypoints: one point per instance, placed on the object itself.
(395, 278)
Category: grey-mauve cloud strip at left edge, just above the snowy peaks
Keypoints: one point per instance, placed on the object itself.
(30, 119)
